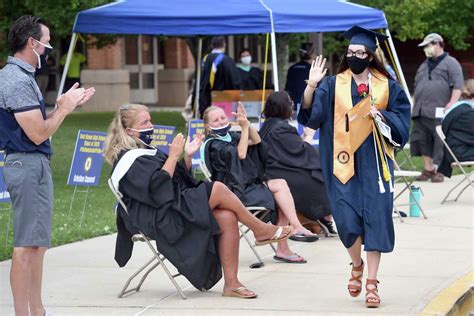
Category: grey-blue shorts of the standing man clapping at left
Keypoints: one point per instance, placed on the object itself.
(29, 182)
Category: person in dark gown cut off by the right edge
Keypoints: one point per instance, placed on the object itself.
(458, 127)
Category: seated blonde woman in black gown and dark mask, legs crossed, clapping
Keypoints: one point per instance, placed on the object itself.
(194, 223)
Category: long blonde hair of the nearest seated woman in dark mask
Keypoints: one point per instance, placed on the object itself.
(117, 138)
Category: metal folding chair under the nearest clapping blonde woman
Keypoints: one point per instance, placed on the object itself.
(154, 262)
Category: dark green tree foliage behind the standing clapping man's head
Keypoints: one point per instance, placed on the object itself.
(59, 14)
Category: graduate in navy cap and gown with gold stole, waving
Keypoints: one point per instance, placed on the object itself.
(356, 162)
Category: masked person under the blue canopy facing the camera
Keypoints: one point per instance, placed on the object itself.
(252, 77)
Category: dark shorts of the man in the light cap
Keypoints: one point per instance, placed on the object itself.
(424, 141)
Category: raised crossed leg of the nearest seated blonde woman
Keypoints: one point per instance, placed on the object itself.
(223, 198)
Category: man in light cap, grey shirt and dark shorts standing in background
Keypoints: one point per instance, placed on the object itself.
(438, 84)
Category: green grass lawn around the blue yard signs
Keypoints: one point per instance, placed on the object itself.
(99, 218)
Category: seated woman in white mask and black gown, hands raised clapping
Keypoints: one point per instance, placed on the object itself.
(237, 160)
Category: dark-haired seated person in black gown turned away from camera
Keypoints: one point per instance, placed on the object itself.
(296, 161)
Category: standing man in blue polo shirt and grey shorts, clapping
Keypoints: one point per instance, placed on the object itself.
(24, 136)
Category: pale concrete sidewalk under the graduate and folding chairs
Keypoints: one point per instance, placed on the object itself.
(83, 279)
